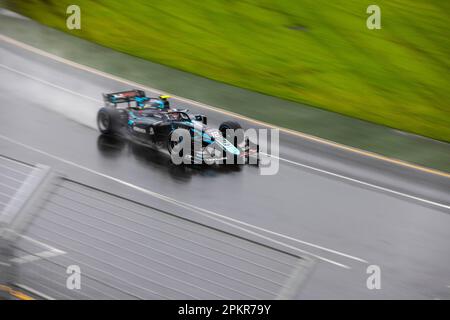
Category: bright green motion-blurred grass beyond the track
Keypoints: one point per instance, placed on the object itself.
(316, 52)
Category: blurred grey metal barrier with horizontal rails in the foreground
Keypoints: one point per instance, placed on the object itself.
(130, 250)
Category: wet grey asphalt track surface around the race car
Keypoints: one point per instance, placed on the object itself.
(348, 225)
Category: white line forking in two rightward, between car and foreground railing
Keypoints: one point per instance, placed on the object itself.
(207, 213)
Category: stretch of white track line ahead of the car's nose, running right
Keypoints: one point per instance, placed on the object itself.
(374, 186)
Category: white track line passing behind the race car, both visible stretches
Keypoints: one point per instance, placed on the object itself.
(279, 158)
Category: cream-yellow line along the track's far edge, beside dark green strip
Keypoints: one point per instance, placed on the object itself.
(229, 113)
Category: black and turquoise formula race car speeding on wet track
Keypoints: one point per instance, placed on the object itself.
(153, 122)
